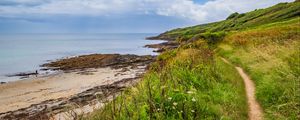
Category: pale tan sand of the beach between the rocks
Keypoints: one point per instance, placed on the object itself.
(22, 94)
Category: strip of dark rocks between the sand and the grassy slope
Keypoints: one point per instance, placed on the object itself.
(47, 109)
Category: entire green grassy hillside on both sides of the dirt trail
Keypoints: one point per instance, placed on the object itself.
(192, 82)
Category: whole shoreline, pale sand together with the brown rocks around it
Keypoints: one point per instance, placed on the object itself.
(46, 96)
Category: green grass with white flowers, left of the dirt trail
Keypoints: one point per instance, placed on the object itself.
(194, 84)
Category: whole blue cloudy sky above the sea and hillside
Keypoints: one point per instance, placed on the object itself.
(117, 16)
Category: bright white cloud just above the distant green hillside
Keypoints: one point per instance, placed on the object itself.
(212, 10)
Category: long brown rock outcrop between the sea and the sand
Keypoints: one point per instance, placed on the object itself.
(97, 61)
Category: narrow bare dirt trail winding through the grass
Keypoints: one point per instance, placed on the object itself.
(255, 112)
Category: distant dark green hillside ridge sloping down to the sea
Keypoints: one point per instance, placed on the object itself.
(236, 21)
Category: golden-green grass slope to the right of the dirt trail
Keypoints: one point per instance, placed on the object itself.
(270, 54)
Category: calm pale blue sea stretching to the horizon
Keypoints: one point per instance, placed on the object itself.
(25, 52)
